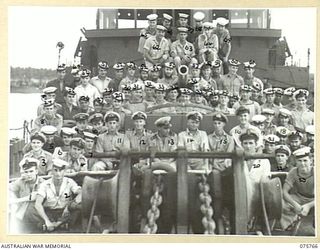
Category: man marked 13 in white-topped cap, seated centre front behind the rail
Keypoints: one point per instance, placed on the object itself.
(164, 140)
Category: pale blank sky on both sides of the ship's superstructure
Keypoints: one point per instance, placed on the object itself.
(34, 32)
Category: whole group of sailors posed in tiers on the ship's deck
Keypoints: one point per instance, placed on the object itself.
(90, 114)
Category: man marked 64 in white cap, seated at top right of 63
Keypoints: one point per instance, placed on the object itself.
(208, 44)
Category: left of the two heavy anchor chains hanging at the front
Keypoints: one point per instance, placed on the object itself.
(154, 213)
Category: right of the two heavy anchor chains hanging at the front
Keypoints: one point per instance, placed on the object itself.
(205, 207)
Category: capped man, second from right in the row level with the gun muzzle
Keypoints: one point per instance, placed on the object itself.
(232, 81)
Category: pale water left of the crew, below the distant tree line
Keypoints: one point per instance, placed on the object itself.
(22, 107)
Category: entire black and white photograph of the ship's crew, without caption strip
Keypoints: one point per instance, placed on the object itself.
(161, 121)
